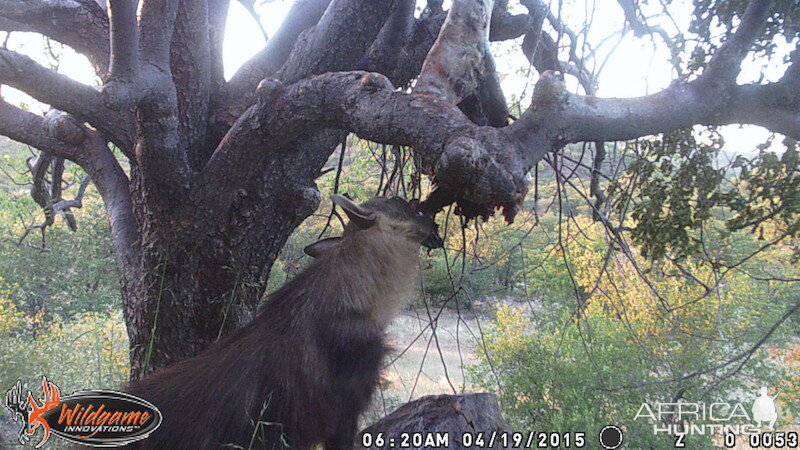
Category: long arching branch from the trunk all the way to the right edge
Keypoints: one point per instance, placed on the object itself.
(482, 165)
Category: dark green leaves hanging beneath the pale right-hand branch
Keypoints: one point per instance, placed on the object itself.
(677, 184)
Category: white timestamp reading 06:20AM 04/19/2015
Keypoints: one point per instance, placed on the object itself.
(474, 440)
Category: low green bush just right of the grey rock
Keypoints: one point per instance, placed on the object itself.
(550, 380)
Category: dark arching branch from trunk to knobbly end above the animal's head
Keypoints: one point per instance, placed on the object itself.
(482, 163)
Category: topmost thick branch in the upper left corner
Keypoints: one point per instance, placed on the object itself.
(80, 24)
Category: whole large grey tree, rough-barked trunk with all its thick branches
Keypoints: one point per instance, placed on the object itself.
(222, 172)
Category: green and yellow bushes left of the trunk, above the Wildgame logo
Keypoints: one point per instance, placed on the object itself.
(60, 309)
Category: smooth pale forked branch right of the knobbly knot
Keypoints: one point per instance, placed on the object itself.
(711, 99)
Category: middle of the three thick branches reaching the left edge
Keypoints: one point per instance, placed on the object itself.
(63, 93)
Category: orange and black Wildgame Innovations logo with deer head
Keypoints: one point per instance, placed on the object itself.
(96, 418)
